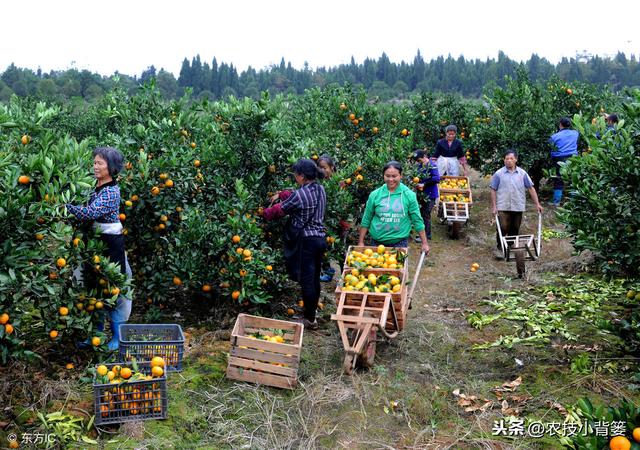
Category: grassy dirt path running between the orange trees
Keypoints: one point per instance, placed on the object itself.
(406, 400)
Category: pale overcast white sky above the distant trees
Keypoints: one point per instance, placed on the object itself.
(129, 36)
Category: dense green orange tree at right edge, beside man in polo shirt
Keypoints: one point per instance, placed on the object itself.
(602, 210)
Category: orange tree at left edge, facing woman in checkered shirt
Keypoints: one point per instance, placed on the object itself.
(41, 303)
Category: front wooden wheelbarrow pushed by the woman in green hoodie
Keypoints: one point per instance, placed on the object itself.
(360, 315)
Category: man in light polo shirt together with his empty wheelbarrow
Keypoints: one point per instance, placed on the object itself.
(508, 202)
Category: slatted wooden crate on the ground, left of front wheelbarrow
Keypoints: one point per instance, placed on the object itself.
(259, 361)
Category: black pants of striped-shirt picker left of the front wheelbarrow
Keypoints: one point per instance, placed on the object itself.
(310, 262)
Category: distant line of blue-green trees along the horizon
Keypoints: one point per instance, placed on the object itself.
(381, 78)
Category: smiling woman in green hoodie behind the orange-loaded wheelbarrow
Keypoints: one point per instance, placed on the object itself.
(391, 211)
